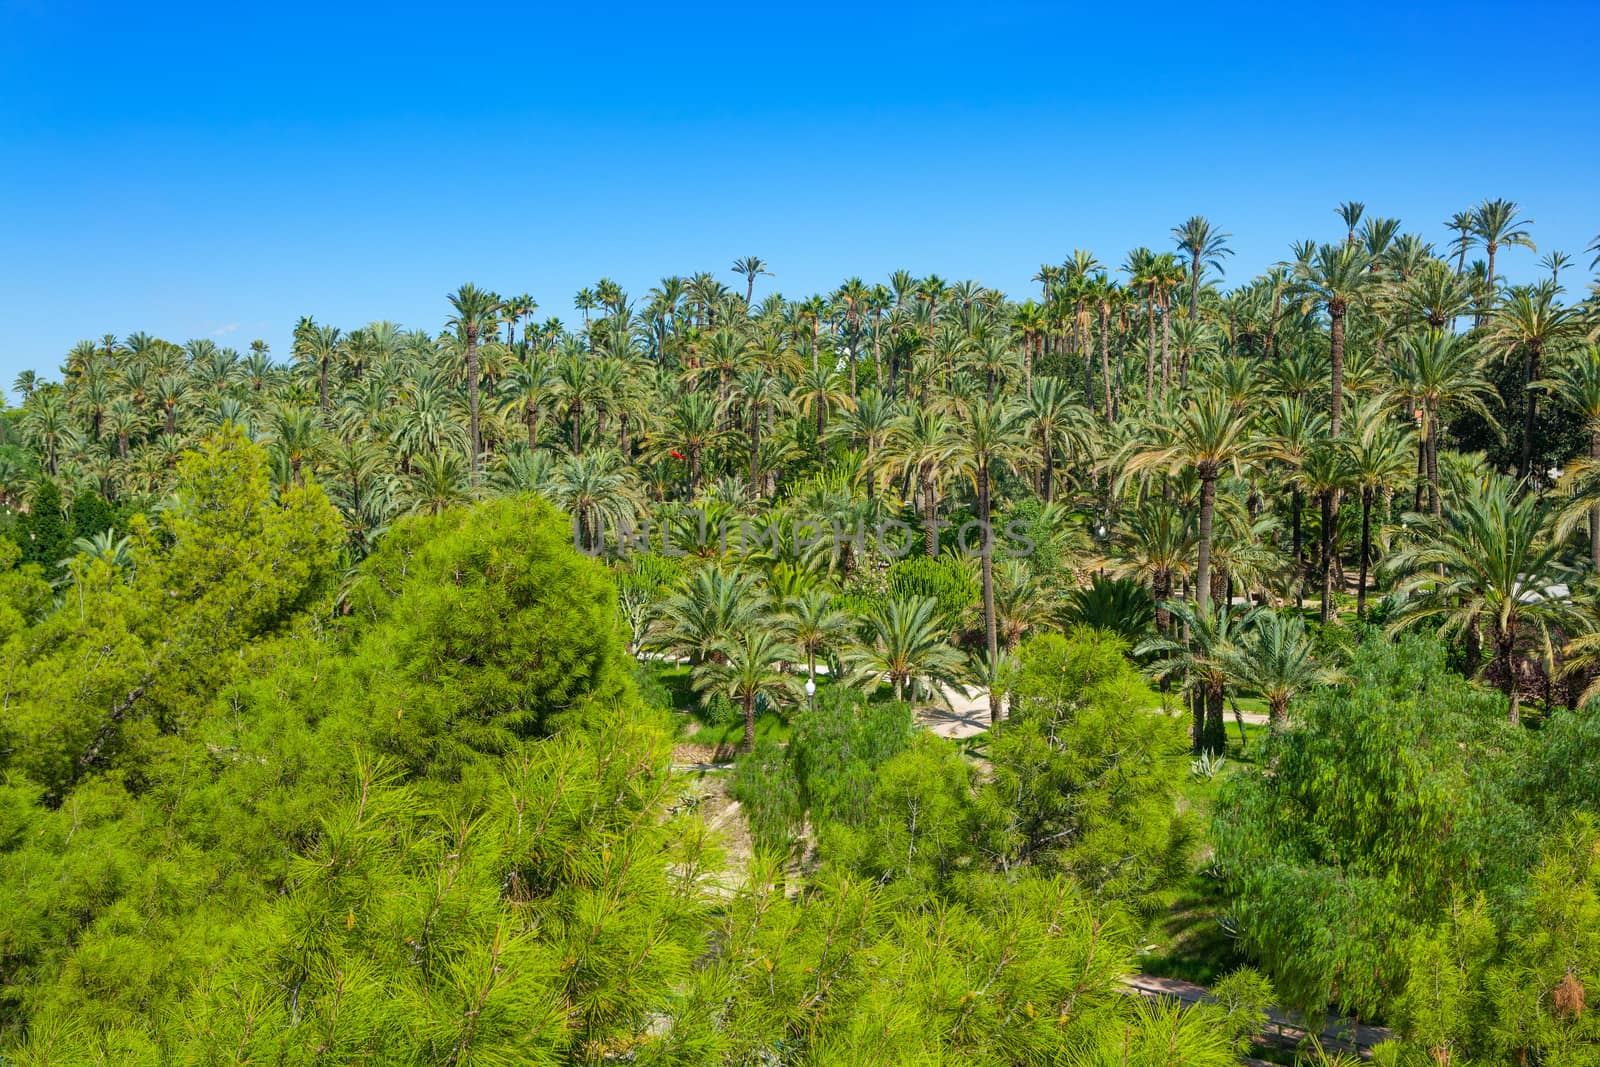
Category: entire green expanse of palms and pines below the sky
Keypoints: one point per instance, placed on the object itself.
(322, 741)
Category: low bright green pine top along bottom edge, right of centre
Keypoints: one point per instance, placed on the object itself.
(1025, 975)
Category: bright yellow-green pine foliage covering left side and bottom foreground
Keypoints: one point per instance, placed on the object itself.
(422, 817)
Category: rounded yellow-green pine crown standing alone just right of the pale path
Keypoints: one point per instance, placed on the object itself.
(1084, 772)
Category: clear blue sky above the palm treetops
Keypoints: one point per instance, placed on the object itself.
(194, 170)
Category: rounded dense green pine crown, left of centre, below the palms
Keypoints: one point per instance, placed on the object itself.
(479, 628)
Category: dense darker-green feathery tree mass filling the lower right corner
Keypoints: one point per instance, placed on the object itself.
(1410, 853)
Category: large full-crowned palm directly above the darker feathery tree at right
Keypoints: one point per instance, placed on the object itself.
(1490, 567)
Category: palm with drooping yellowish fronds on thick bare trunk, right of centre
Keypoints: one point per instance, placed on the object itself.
(1207, 438)
